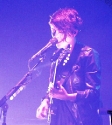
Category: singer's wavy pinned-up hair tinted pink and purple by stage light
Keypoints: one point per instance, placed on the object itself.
(66, 20)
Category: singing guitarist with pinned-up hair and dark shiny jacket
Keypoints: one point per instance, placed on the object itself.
(76, 92)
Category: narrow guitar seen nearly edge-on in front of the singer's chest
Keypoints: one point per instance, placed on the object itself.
(57, 58)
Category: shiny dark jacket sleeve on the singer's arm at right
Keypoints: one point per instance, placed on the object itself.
(92, 77)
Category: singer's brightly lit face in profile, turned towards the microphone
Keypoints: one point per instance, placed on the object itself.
(56, 33)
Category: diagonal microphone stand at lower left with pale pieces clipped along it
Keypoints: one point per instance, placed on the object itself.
(16, 89)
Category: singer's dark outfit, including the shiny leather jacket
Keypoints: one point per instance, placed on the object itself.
(82, 74)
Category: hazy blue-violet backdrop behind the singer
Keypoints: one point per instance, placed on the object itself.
(24, 30)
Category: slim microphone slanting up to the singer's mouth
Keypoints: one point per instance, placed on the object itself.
(51, 42)
